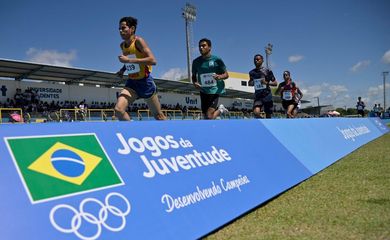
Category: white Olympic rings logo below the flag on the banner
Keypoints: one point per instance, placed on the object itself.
(99, 221)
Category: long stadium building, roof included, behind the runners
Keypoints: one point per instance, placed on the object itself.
(59, 85)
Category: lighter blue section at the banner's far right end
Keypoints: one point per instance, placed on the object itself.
(318, 143)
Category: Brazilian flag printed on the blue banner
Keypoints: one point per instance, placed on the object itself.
(56, 166)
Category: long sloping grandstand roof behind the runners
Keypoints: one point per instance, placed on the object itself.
(20, 70)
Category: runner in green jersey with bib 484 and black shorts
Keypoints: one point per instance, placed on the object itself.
(208, 75)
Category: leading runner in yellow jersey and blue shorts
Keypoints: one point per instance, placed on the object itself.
(138, 60)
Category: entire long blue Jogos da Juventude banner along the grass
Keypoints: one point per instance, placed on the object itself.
(156, 180)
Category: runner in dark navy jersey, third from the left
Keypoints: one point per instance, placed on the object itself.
(262, 78)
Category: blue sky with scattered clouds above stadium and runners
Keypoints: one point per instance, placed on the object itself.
(336, 50)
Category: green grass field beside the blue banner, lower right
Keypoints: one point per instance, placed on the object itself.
(348, 200)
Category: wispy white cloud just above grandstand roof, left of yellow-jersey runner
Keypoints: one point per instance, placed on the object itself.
(51, 57)
